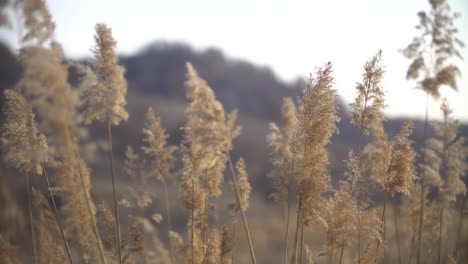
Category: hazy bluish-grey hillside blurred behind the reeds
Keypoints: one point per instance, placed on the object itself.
(156, 77)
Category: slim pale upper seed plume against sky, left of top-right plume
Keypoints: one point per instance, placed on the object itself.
(368, 105)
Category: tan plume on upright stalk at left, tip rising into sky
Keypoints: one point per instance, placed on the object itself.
(105, 88)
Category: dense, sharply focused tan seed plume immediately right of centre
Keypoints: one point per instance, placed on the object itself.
(316, 124)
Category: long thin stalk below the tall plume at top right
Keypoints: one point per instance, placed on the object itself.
(422, 194)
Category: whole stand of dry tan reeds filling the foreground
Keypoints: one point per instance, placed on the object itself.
(422, 218)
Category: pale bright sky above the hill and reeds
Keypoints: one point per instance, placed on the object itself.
(292, 37)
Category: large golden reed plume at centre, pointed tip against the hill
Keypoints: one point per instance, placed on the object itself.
(207, 141)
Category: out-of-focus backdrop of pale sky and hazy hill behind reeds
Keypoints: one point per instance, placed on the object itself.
(252, 53)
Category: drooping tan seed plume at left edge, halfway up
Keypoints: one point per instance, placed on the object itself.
(23, 147)
